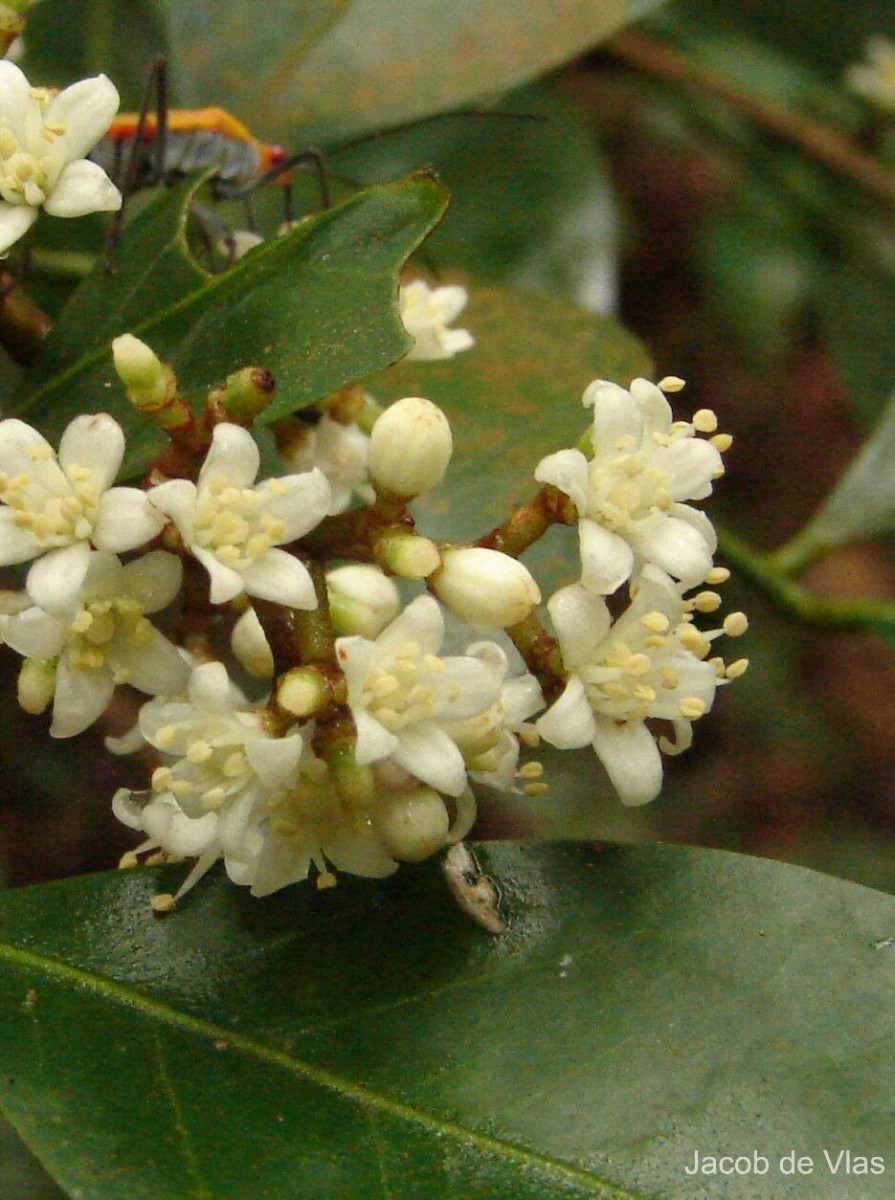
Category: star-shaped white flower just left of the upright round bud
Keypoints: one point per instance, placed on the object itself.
(233, 527)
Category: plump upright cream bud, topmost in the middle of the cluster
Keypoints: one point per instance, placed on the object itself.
(410, 448)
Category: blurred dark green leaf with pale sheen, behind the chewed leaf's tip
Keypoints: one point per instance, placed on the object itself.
(530, 196)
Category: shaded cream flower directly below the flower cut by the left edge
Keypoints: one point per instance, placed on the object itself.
(103, 641)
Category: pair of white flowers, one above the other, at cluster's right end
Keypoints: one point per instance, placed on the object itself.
(628, 497)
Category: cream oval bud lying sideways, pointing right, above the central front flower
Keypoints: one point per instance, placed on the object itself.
(485, 589)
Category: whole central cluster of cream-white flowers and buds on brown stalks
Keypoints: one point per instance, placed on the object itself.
(358, 740)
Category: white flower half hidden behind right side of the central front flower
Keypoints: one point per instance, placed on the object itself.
(490, 742)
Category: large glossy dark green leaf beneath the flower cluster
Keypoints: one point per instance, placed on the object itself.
(371, 1042)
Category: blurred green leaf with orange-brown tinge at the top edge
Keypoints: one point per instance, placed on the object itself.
(341, 69)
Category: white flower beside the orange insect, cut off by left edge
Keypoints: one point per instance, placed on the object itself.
(44, 142)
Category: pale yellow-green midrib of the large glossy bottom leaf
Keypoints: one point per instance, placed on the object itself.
(364, 1097)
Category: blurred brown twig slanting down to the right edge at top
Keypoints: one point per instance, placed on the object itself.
(820, 142)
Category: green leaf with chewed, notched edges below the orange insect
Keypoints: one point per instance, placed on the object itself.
(319, 308)
